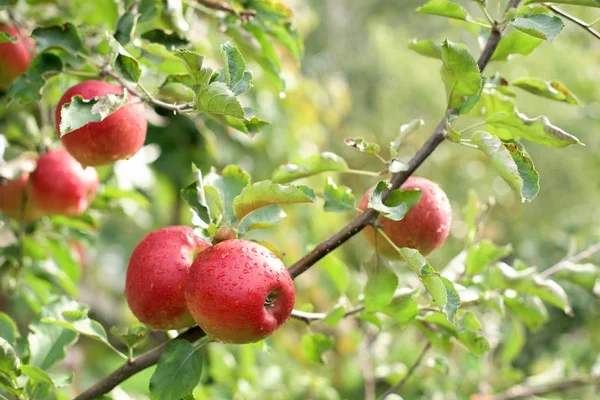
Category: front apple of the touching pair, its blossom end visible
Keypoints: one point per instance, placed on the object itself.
(239, 292)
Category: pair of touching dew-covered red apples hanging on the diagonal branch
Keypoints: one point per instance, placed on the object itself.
(237, 291)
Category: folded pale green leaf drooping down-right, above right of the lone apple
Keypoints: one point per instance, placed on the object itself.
(513, 165)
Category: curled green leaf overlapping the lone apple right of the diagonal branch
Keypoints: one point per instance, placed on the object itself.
(397, 203)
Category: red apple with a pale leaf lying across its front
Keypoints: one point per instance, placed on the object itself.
(119, 136)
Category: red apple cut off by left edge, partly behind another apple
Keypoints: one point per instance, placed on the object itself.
(11, 199)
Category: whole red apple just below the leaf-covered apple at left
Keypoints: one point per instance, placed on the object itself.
(60, 185)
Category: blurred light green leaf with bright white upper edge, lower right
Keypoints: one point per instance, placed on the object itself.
(529, 282)
